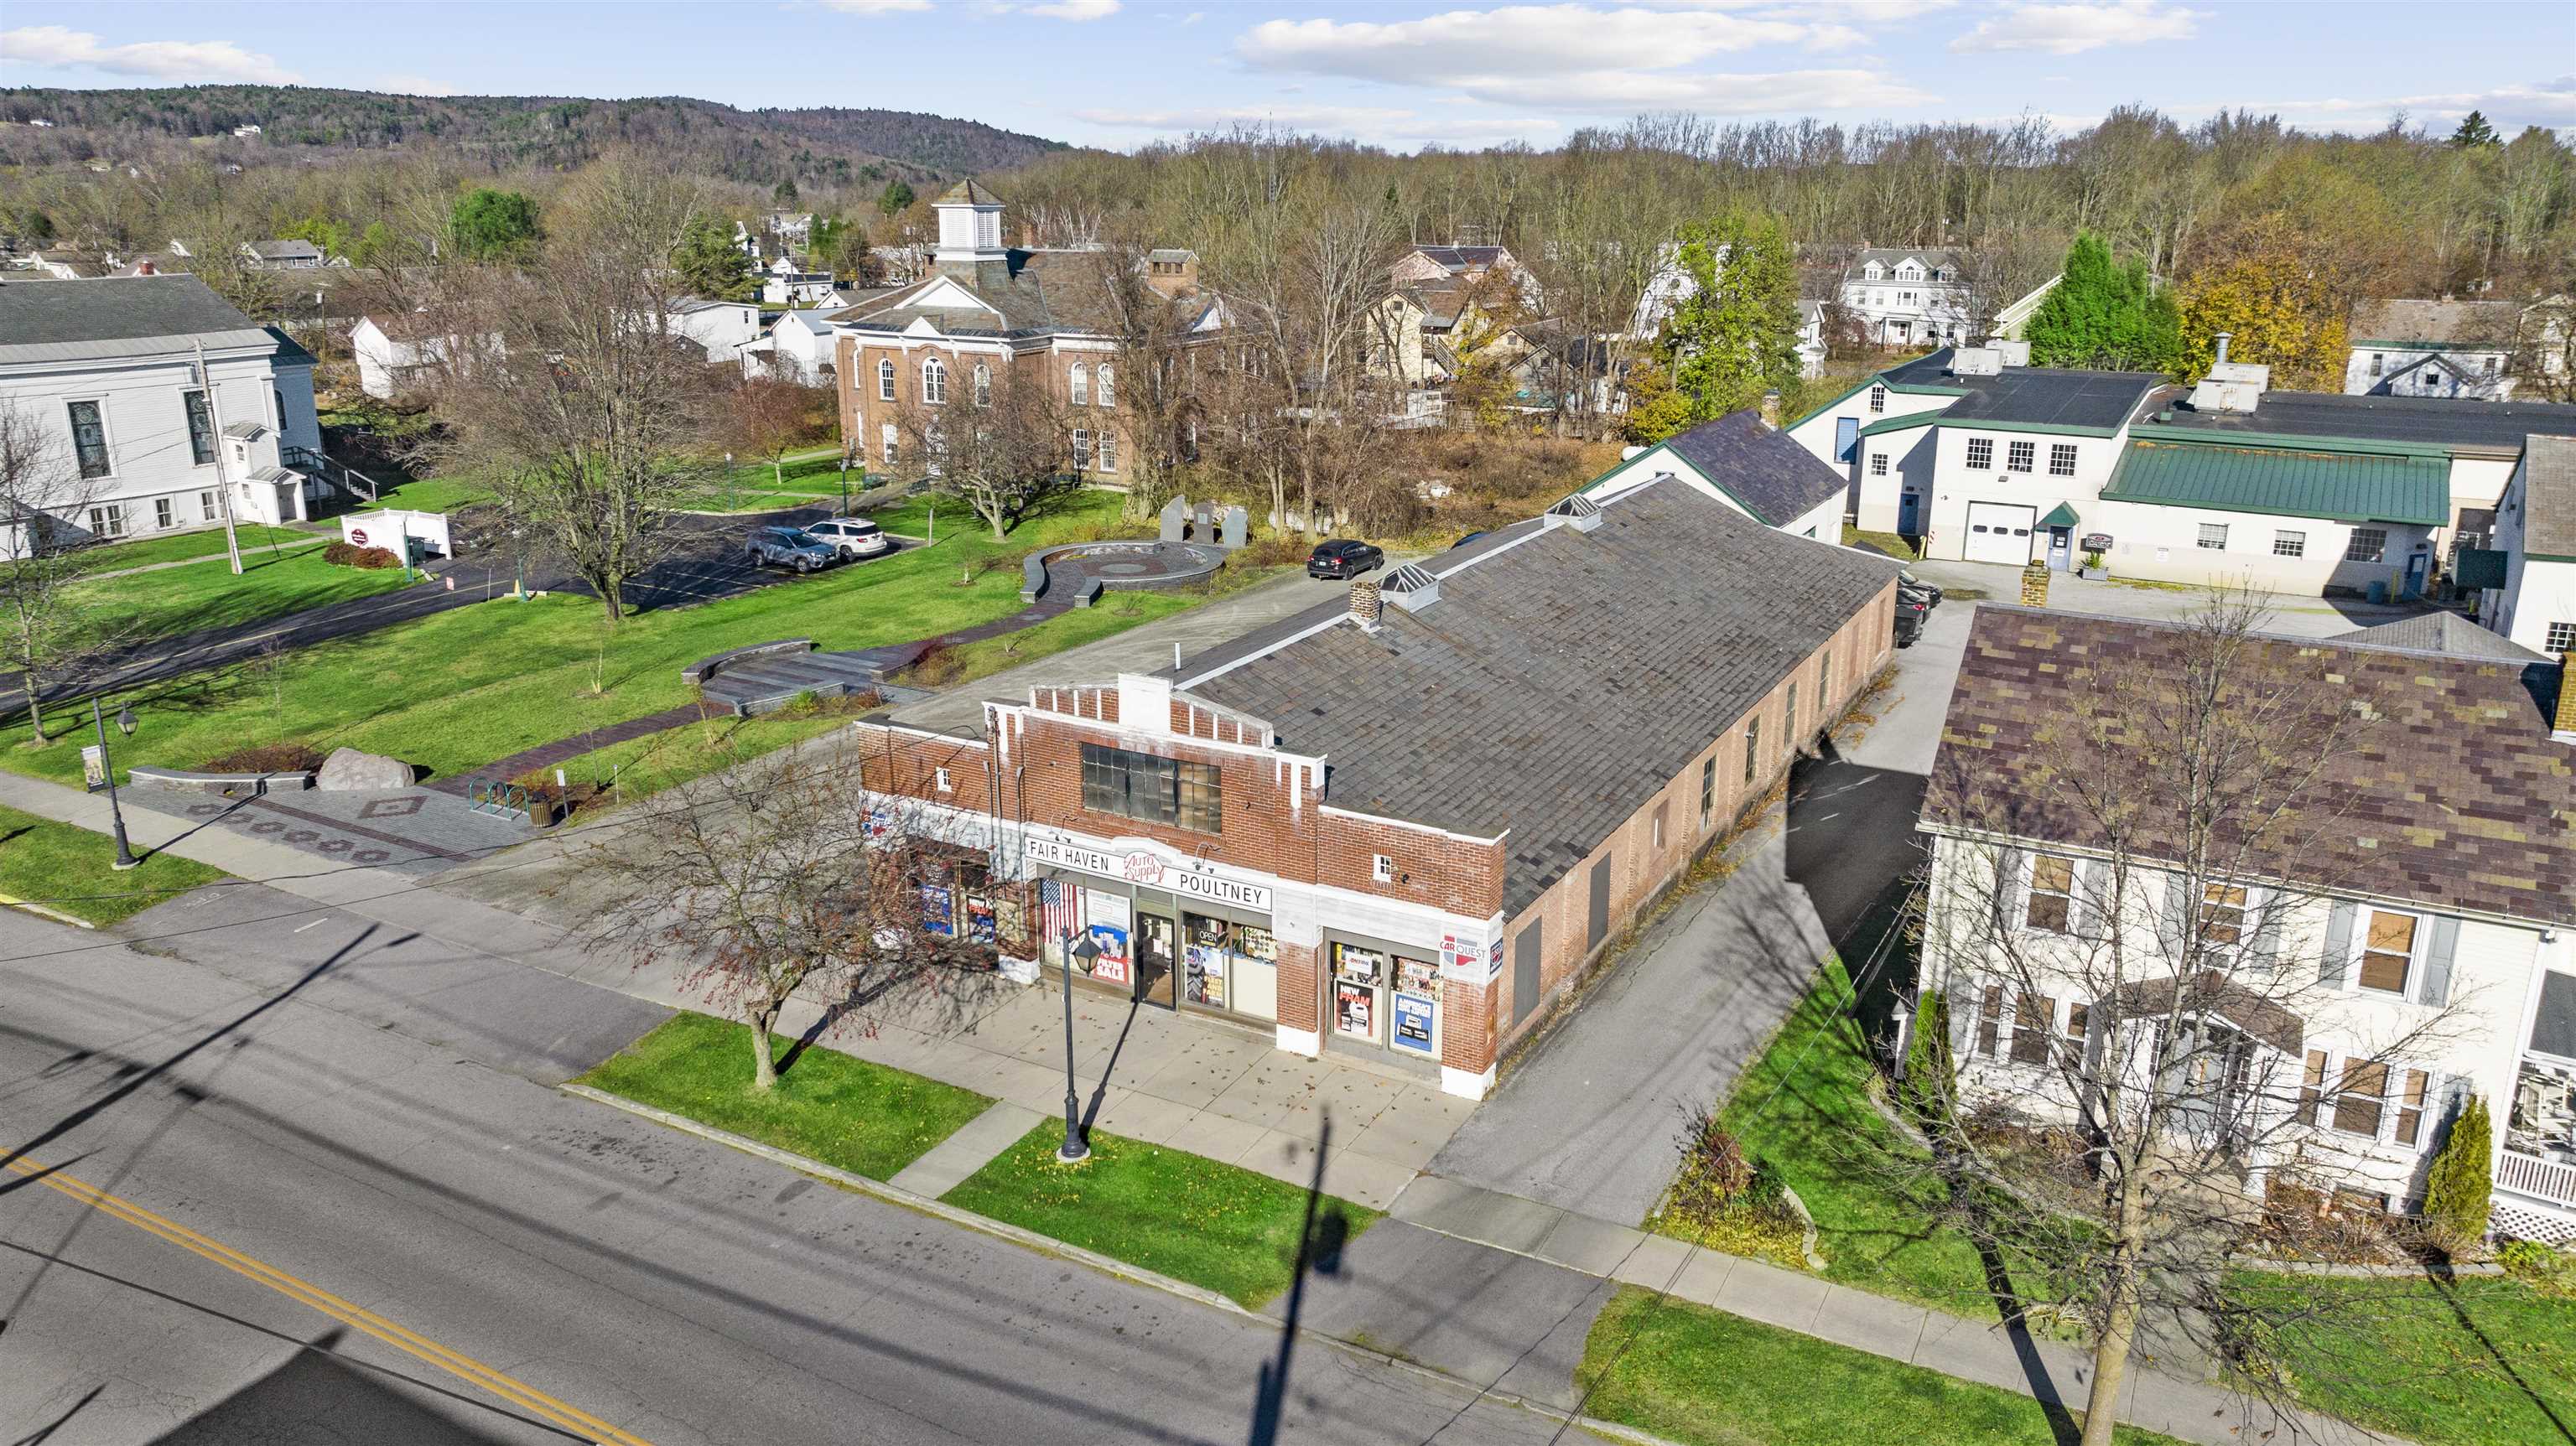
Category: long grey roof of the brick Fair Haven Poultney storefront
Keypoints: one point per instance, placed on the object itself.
(1560, 681)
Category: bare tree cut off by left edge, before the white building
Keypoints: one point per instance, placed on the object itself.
(48, 621)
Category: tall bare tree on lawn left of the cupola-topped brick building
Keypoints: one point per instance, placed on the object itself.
(573, 390)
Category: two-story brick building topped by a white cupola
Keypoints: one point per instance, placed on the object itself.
(947, 338)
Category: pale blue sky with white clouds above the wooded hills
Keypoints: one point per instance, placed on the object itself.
(1122, 73)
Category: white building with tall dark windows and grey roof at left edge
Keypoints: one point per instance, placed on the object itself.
(164, 400)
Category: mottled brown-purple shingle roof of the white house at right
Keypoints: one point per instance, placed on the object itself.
(2448, 794)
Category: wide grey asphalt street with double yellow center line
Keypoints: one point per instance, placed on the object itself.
(365, 1113)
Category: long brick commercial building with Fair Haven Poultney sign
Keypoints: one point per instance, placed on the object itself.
(1397, 827)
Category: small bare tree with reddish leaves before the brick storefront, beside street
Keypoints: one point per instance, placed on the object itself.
(761, 884)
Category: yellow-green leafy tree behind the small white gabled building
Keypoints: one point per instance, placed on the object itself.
(1738, 333)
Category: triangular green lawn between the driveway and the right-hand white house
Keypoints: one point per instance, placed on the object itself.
(1804, 1113)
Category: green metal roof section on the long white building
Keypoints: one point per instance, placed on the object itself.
(2340, 488)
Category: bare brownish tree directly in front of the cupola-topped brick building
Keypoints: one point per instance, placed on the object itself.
(998, 439)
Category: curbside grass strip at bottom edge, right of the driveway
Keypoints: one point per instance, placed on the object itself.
(1717, 1380)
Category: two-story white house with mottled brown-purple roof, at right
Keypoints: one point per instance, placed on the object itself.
(2320, 1002)
